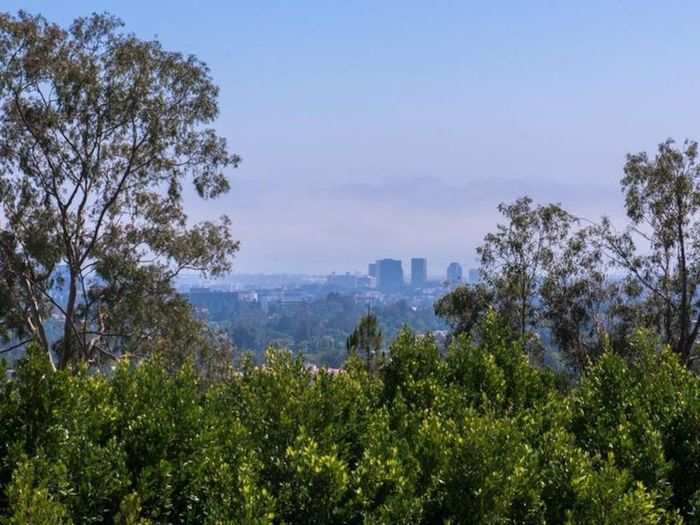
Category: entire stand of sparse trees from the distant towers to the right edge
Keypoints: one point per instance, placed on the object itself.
(550, 276)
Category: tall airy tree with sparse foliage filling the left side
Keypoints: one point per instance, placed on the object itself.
(99, 133)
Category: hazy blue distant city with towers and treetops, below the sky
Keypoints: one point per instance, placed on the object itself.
(313, 315)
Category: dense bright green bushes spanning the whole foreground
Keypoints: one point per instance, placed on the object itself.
(478, 436)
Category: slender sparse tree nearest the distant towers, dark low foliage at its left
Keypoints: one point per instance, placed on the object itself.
(515, 262)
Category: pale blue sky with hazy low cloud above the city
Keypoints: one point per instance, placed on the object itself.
(393, 129)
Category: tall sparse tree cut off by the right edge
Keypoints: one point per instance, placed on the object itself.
(662, 200)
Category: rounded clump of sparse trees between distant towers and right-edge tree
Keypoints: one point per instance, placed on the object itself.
(541, 273)
